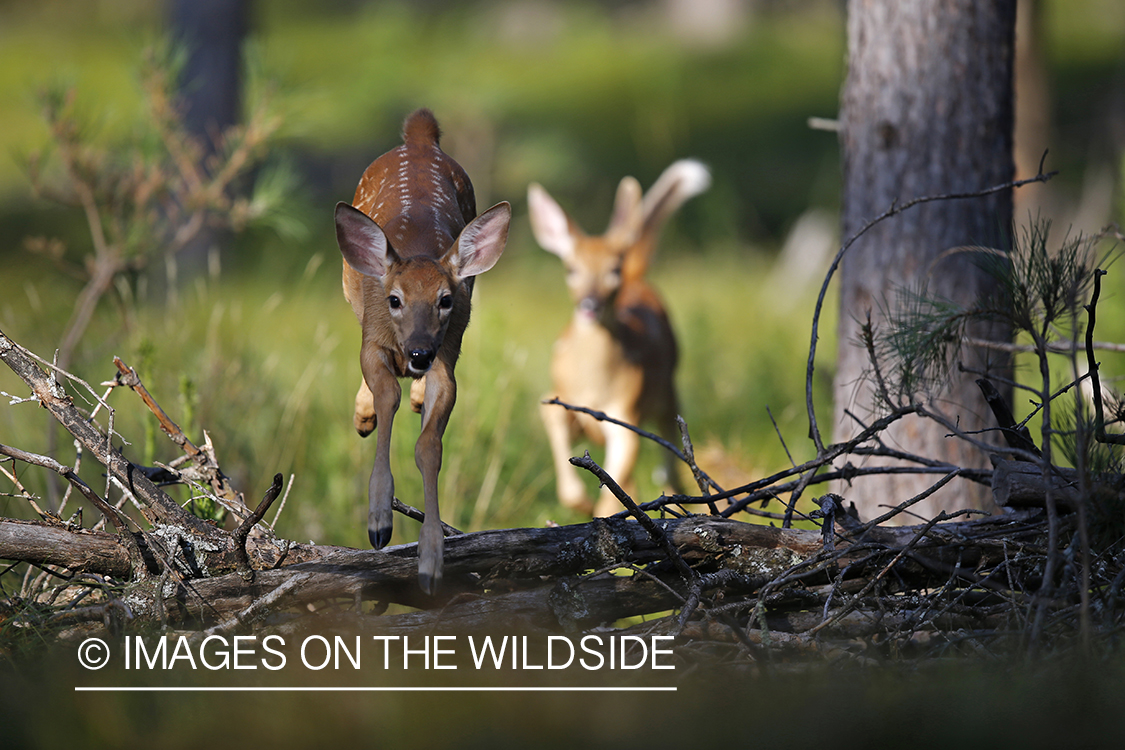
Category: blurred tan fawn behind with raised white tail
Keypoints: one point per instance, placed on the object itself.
(618, 355)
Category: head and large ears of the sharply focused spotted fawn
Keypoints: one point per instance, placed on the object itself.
(421, 292)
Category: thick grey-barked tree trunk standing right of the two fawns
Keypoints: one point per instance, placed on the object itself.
(926, 111)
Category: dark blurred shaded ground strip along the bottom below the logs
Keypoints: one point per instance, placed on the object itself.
(1063, 703)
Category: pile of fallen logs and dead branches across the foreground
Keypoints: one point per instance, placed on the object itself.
(734, 590)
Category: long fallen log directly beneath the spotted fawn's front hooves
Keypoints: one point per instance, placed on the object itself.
(496, 561)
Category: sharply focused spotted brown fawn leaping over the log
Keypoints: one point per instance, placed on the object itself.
(412, 246)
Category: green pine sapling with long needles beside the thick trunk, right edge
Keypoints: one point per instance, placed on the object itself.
(1043, 295)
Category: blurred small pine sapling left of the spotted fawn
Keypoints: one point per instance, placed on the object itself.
(150, 197)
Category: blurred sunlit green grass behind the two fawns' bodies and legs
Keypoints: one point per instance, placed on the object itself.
(274, 360)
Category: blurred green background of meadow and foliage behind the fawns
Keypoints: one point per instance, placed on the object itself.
(572, 95)
